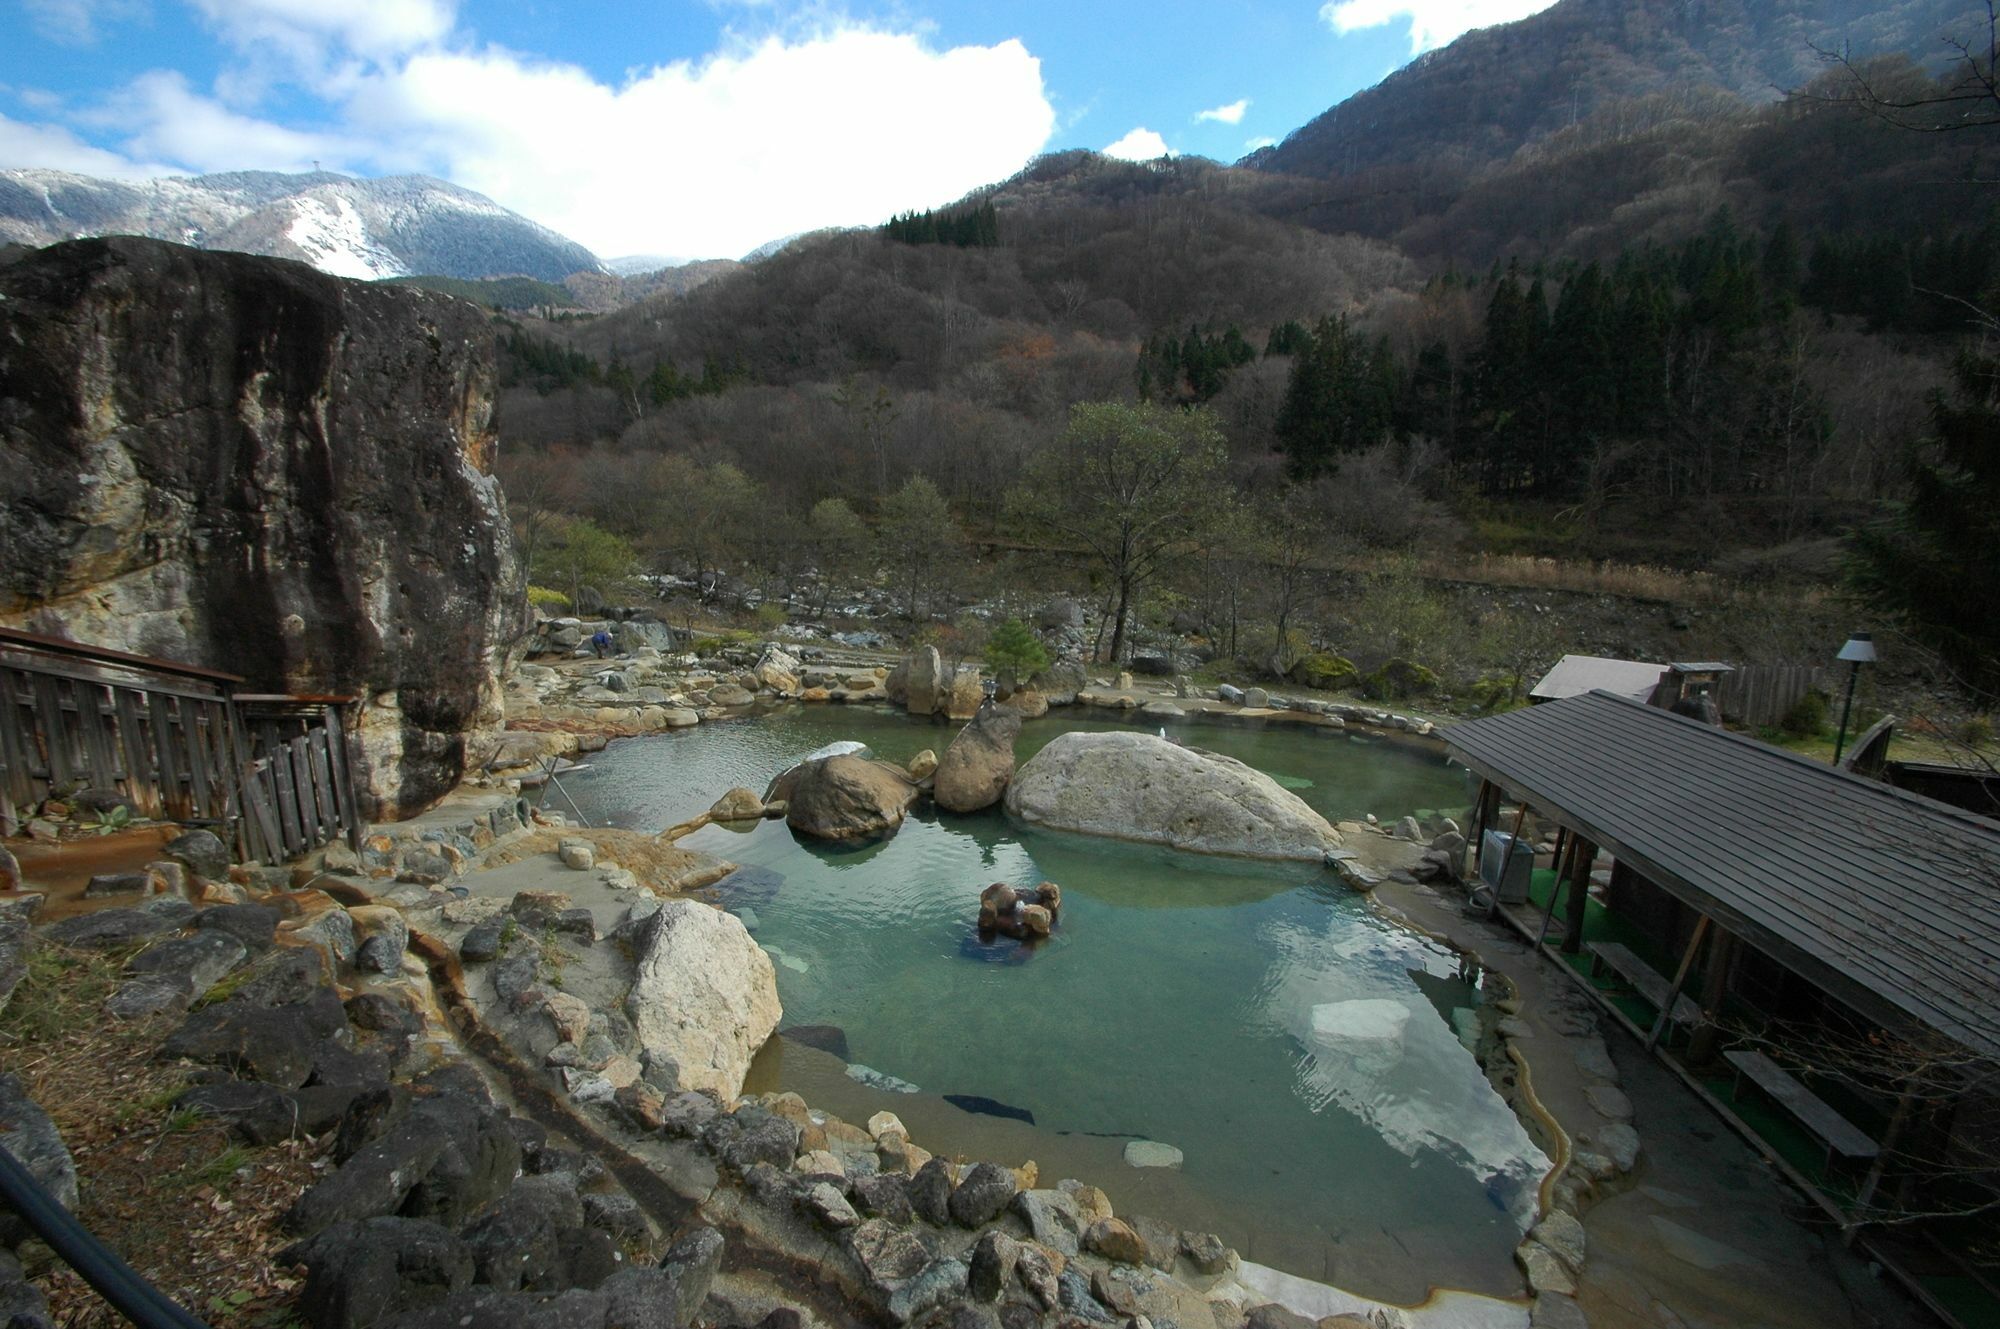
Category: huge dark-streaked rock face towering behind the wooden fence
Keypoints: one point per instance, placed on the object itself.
(255, 467)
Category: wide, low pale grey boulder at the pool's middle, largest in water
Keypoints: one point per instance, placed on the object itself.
(1141, 788)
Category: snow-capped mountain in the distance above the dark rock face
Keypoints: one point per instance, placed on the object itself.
(367, 229)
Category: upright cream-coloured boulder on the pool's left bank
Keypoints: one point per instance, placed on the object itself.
(705, 996)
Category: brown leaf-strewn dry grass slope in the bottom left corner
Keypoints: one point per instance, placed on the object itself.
(171, 1192)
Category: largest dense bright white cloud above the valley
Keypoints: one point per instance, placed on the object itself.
(719, 157)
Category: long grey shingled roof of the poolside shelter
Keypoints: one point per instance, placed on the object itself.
(1887, 900)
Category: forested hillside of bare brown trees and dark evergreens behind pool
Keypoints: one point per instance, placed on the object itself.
(1683, 327)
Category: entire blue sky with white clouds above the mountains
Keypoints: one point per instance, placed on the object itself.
(687, 129)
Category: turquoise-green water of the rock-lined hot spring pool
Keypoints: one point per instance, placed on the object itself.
(1299, 1050)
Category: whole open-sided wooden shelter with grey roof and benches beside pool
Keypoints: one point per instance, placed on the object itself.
(1769, 892)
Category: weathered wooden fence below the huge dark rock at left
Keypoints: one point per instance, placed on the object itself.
(275, 776)
